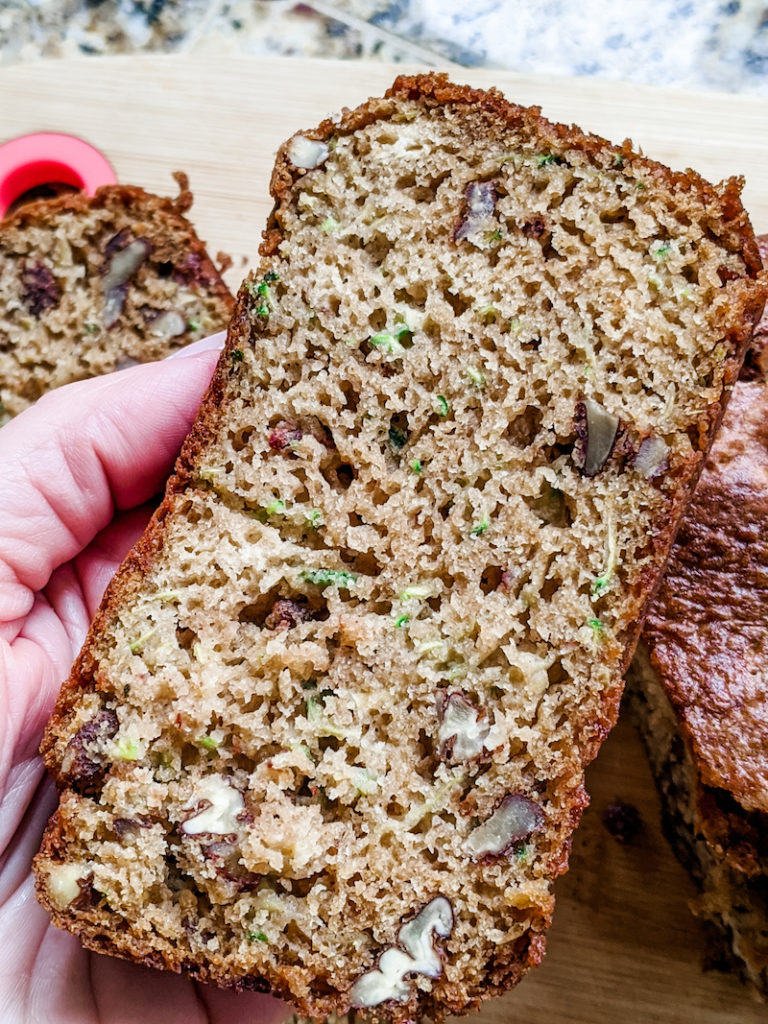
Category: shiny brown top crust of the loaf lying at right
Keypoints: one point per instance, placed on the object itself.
(707, 629)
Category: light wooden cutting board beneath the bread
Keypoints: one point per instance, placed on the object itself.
(624, 949)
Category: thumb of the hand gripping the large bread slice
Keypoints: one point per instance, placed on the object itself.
(80, 454)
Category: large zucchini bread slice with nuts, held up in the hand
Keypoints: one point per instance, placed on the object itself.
(327, 736)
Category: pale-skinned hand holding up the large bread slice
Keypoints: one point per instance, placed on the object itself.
(79, 474)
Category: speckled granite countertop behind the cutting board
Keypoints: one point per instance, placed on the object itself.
(696, 45)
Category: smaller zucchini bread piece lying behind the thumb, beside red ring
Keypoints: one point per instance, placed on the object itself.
(91, 285)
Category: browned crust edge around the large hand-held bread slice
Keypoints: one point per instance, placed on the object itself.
(730, 225)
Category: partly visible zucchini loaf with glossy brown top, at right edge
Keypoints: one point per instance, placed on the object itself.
(699, 680)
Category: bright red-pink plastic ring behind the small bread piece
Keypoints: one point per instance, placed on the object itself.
(48, 157)
